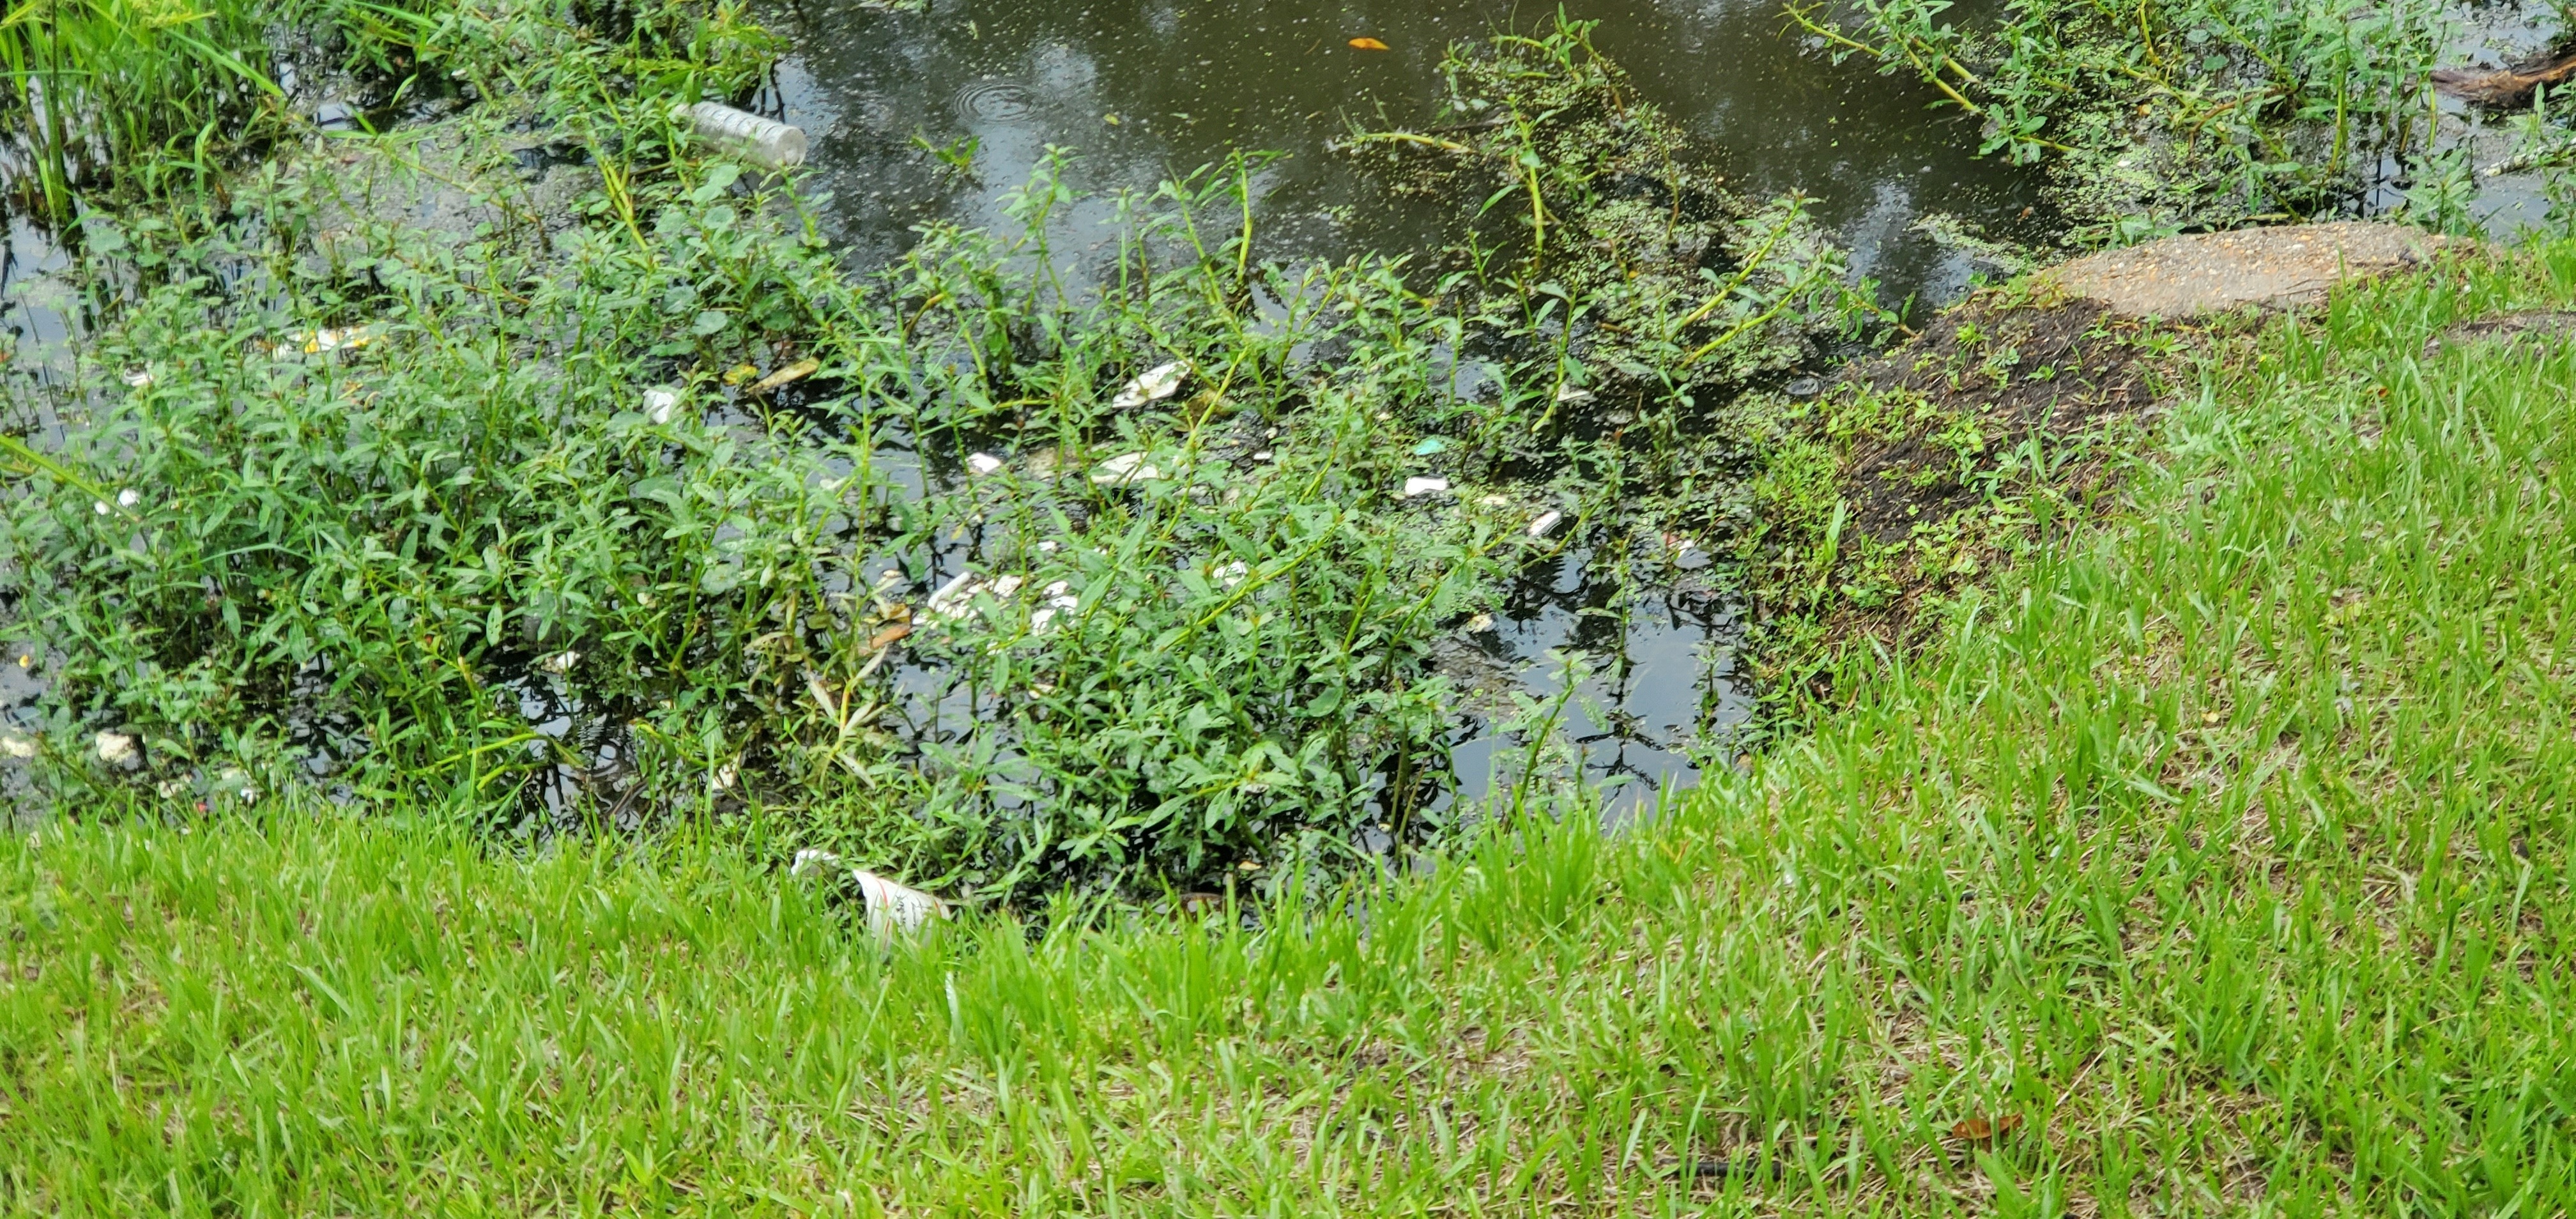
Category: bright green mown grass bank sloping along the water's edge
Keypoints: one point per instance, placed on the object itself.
(2227, 849)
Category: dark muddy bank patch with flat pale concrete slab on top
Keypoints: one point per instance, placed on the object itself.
(2008, 421)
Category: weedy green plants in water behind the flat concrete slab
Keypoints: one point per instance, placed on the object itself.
(2170, 117)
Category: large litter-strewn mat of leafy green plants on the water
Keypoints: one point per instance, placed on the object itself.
(625, 499)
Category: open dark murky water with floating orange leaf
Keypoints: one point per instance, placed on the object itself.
(1166, 86)
